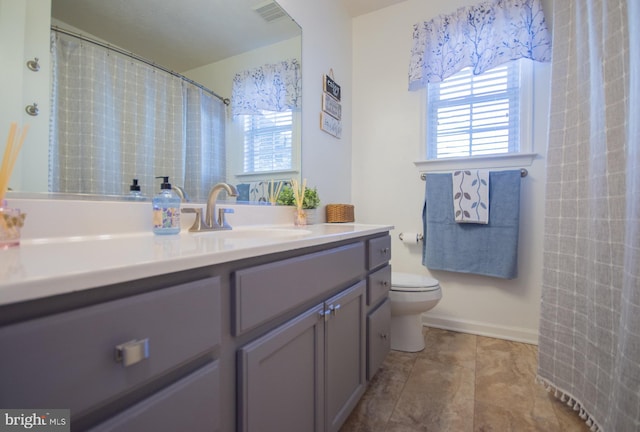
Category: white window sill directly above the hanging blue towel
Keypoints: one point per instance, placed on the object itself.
(510, 160)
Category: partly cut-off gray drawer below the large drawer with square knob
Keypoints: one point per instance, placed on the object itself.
(191, 404)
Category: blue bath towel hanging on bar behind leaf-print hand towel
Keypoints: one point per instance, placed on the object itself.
(491, 249)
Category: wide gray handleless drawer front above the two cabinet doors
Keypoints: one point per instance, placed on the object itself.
(263, 292)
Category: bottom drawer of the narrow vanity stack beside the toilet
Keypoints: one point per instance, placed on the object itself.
(378, 337)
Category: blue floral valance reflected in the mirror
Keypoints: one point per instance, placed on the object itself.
(271, 87)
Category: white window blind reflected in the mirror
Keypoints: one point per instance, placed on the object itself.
(268, 142)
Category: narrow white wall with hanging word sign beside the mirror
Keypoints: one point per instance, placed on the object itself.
(326, 44)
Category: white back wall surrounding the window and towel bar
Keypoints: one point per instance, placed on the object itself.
(388, 136)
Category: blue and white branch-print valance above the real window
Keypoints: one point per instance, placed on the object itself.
(481, 37)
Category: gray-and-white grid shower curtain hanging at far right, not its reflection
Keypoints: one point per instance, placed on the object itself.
(589, 346)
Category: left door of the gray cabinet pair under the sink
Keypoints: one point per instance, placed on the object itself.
(281, 387)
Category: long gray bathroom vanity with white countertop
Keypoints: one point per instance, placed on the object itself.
(246, 331)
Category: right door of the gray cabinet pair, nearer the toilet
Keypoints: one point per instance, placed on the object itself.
(345, 353)
